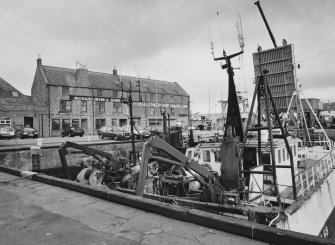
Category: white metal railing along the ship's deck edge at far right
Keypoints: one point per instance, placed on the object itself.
(314, 174)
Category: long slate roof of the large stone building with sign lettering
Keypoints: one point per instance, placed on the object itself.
(67, 77)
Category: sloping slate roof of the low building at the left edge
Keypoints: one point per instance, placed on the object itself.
(7, 97)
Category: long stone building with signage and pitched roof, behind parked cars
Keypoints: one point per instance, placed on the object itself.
(85, 99)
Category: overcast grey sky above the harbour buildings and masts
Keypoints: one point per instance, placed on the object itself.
(167, 40)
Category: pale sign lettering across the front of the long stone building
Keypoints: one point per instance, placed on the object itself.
(118, 100)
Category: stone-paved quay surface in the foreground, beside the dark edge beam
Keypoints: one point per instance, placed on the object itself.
(36, 213)
